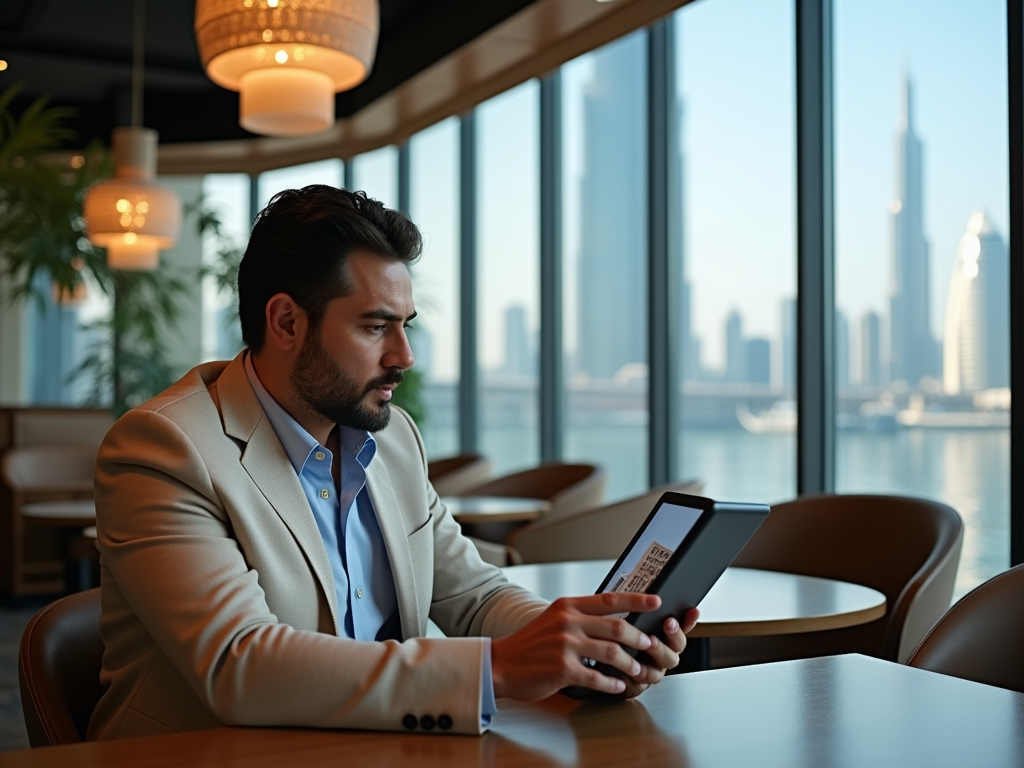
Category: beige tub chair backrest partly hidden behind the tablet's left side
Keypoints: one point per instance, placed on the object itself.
(593, 534)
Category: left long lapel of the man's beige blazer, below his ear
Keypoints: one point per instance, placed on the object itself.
(266, 461)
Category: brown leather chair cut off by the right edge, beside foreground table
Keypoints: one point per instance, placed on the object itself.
(980, 638)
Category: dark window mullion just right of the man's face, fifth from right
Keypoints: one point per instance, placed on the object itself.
(468, 371)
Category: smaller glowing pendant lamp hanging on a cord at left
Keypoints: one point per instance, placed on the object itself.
(131, 216)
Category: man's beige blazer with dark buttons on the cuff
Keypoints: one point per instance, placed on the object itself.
(219, 602)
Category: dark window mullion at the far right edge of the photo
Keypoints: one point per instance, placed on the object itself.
(1015, 57)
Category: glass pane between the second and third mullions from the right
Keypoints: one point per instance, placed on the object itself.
(736, 79)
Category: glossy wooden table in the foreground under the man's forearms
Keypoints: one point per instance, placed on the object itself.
(838, 711)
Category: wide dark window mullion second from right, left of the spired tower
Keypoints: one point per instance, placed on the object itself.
(816, 257)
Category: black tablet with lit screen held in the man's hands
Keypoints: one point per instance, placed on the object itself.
(684, 547)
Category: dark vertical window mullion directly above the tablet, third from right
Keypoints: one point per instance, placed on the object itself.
(663, 283)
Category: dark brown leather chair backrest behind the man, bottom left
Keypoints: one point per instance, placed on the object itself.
(59, 670)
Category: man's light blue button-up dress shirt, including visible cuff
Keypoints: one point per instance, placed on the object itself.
(364, 583)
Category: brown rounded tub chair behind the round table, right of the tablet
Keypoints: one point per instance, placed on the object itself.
(909, 549)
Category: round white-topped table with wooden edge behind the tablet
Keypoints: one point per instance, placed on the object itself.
(745, 603)
